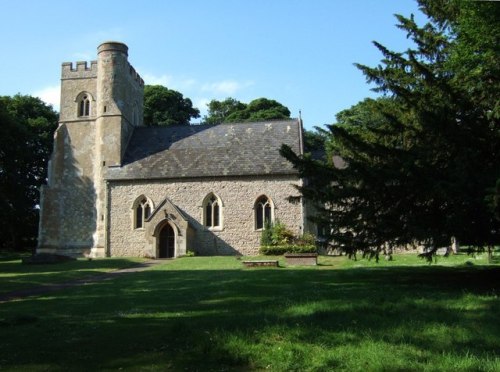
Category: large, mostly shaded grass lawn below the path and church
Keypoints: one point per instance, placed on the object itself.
(210, 313)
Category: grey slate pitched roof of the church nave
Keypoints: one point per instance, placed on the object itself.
(240, 149)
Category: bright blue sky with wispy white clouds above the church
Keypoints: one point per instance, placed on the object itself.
(298, 52)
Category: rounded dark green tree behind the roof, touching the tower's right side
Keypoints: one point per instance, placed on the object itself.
(163, 106)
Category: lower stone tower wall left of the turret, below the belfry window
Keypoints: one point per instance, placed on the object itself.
(68, 217)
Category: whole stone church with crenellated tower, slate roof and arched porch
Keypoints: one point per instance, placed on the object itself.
(119, 188)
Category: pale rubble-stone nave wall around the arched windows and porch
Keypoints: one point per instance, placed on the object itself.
(237, 235)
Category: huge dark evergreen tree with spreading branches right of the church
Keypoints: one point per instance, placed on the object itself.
(420, 164)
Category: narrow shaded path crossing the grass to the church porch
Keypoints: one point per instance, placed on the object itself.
(48, 288)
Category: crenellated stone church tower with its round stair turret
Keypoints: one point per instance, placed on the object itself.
(101, 103)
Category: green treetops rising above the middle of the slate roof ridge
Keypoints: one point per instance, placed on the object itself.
(233, 111)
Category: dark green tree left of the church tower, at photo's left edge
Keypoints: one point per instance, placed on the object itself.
(26, 129)
